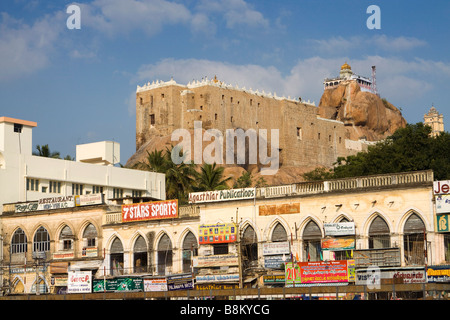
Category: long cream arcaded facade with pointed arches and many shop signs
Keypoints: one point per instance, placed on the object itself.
(235, 238)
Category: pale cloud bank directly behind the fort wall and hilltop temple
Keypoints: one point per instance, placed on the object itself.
(397, 80)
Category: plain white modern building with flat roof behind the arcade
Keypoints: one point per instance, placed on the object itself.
(26, 177)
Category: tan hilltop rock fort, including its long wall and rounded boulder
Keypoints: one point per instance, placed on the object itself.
(346, 121)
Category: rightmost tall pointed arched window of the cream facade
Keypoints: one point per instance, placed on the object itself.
(413, 240)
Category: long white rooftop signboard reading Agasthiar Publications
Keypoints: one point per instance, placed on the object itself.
(222, 195)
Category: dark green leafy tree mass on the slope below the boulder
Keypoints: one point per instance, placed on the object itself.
(409, 149)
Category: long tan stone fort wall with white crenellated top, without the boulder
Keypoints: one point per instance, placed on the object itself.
(304, 138)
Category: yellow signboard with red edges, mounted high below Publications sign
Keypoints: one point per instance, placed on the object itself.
(217, 233)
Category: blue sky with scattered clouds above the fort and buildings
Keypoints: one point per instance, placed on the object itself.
(79, 84)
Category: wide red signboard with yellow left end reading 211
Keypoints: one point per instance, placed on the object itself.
(338, 271)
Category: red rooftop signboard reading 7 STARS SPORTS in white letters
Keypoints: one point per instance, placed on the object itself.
(156, 210)
